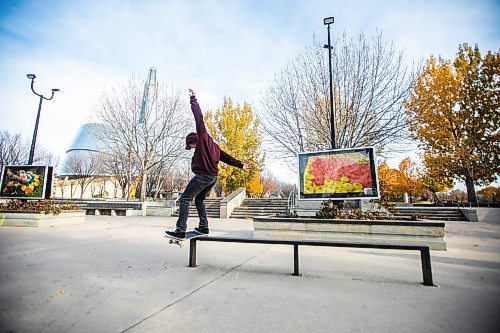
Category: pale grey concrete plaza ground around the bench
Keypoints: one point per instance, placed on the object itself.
(118, 274)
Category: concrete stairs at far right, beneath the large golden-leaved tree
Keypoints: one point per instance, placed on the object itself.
(429, 213)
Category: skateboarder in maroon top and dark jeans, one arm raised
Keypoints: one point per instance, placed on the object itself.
(206, 157)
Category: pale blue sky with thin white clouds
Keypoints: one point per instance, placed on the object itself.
(219, 48)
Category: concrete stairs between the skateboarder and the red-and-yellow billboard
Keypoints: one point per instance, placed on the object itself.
(260, 207)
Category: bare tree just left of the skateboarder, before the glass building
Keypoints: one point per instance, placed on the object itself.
(157, 138)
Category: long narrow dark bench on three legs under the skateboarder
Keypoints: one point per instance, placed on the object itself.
(425, 257)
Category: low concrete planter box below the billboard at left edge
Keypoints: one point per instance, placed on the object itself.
(40, 219)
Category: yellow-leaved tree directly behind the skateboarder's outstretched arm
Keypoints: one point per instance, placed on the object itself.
(235, 129)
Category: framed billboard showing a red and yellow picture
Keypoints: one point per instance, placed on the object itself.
(338, 174)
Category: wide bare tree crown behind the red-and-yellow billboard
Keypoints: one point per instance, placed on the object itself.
(371, 82)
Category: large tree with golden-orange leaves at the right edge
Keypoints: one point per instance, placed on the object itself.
(454, 112)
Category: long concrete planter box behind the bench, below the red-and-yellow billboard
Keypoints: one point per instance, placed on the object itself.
(356, 231)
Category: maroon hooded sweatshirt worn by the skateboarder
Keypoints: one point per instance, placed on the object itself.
(207, 153)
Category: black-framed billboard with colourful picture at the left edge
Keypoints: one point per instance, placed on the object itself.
(26, 182)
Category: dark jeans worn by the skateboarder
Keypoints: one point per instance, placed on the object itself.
(198, 188)
